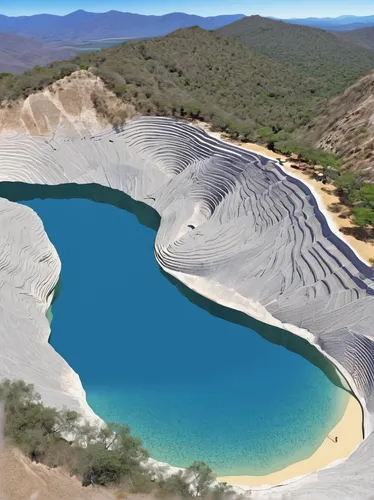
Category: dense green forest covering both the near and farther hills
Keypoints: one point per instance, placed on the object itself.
(200, 74)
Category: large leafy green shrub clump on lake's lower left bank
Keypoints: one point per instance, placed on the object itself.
(102, 456)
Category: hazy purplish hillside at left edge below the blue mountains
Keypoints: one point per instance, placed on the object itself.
(18, 54)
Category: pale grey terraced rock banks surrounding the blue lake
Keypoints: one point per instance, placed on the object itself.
(234, 228)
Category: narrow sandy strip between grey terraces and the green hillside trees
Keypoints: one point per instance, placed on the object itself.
(325, 192)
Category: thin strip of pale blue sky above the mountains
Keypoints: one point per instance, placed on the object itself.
(277, 8)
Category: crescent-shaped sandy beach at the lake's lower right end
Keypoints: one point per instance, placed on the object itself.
(349, 434)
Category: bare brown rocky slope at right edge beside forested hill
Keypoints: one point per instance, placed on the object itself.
(345, 125)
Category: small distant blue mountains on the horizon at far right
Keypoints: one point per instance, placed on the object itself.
(342, 23)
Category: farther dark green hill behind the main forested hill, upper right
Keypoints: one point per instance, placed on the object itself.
(333, 63)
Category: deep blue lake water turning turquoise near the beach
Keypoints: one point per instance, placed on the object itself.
(192, 385)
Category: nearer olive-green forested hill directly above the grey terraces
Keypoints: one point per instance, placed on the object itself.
(190, 73)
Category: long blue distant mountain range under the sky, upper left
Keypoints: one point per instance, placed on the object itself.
(82, 25)
